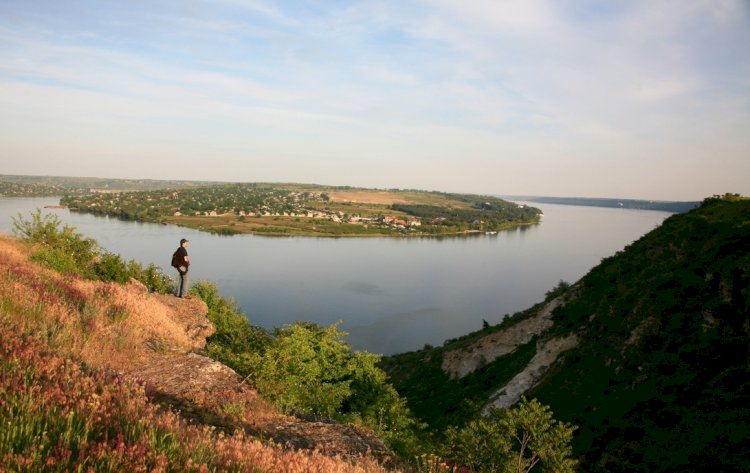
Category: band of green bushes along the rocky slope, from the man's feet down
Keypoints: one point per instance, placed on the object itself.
(309, 370)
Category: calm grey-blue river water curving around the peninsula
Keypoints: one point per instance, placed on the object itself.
(392, 295)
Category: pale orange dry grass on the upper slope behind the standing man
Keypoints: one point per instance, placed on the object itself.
(105, 324)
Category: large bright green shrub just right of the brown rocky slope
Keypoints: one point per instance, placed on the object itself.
(309, 369)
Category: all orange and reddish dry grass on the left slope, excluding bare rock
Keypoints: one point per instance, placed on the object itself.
(60, 417)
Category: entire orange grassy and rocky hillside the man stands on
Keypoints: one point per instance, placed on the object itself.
(112, 377)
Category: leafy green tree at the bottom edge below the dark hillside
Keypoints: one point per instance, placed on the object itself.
(518, 440)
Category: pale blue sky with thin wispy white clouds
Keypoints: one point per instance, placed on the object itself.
(644, 99)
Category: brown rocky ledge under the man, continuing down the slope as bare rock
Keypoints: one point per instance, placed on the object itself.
(207, 392)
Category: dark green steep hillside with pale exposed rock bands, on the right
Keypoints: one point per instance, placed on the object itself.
(648, 354)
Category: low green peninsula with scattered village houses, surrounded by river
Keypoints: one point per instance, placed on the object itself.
(307, 210)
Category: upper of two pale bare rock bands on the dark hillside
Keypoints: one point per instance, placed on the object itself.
(460, 362)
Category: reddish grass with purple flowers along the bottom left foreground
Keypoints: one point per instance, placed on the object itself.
(59, 417)
